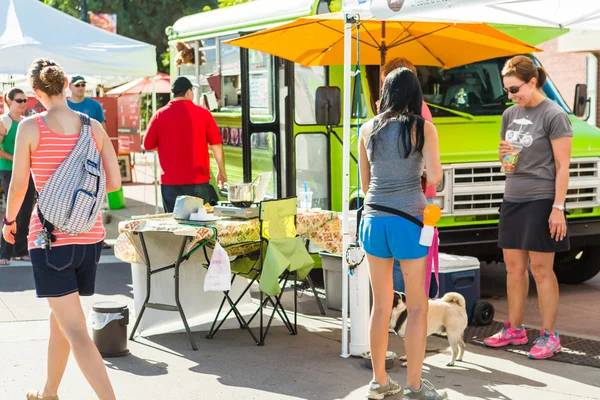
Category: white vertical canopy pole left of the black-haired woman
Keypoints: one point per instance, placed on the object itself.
(346, 177)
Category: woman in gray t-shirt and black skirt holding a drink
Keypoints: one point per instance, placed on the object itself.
(532, 224)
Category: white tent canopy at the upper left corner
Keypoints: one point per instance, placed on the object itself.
(30, 29)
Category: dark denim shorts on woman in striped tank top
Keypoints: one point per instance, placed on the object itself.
(63, 270)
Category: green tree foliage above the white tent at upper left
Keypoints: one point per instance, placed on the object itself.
(144, 20)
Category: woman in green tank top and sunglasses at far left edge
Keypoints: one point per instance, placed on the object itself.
(15, 101)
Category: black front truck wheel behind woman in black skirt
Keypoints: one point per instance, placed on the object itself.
(578, 265)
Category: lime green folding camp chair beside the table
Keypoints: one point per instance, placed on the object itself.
(282, 253)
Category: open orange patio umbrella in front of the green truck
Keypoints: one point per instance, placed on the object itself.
(318, 40)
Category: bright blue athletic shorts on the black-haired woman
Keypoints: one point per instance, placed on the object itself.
(391, 237)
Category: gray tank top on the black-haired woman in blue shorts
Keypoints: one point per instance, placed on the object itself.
(395, 180)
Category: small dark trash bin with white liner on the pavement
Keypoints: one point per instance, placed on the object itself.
(109, 328)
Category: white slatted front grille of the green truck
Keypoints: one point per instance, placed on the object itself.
(477, 189)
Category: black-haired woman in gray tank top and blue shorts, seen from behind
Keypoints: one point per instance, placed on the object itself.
(393, 149)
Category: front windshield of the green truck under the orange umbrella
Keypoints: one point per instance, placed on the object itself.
(474, 89)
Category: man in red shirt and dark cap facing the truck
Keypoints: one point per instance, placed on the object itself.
(181, 133)
